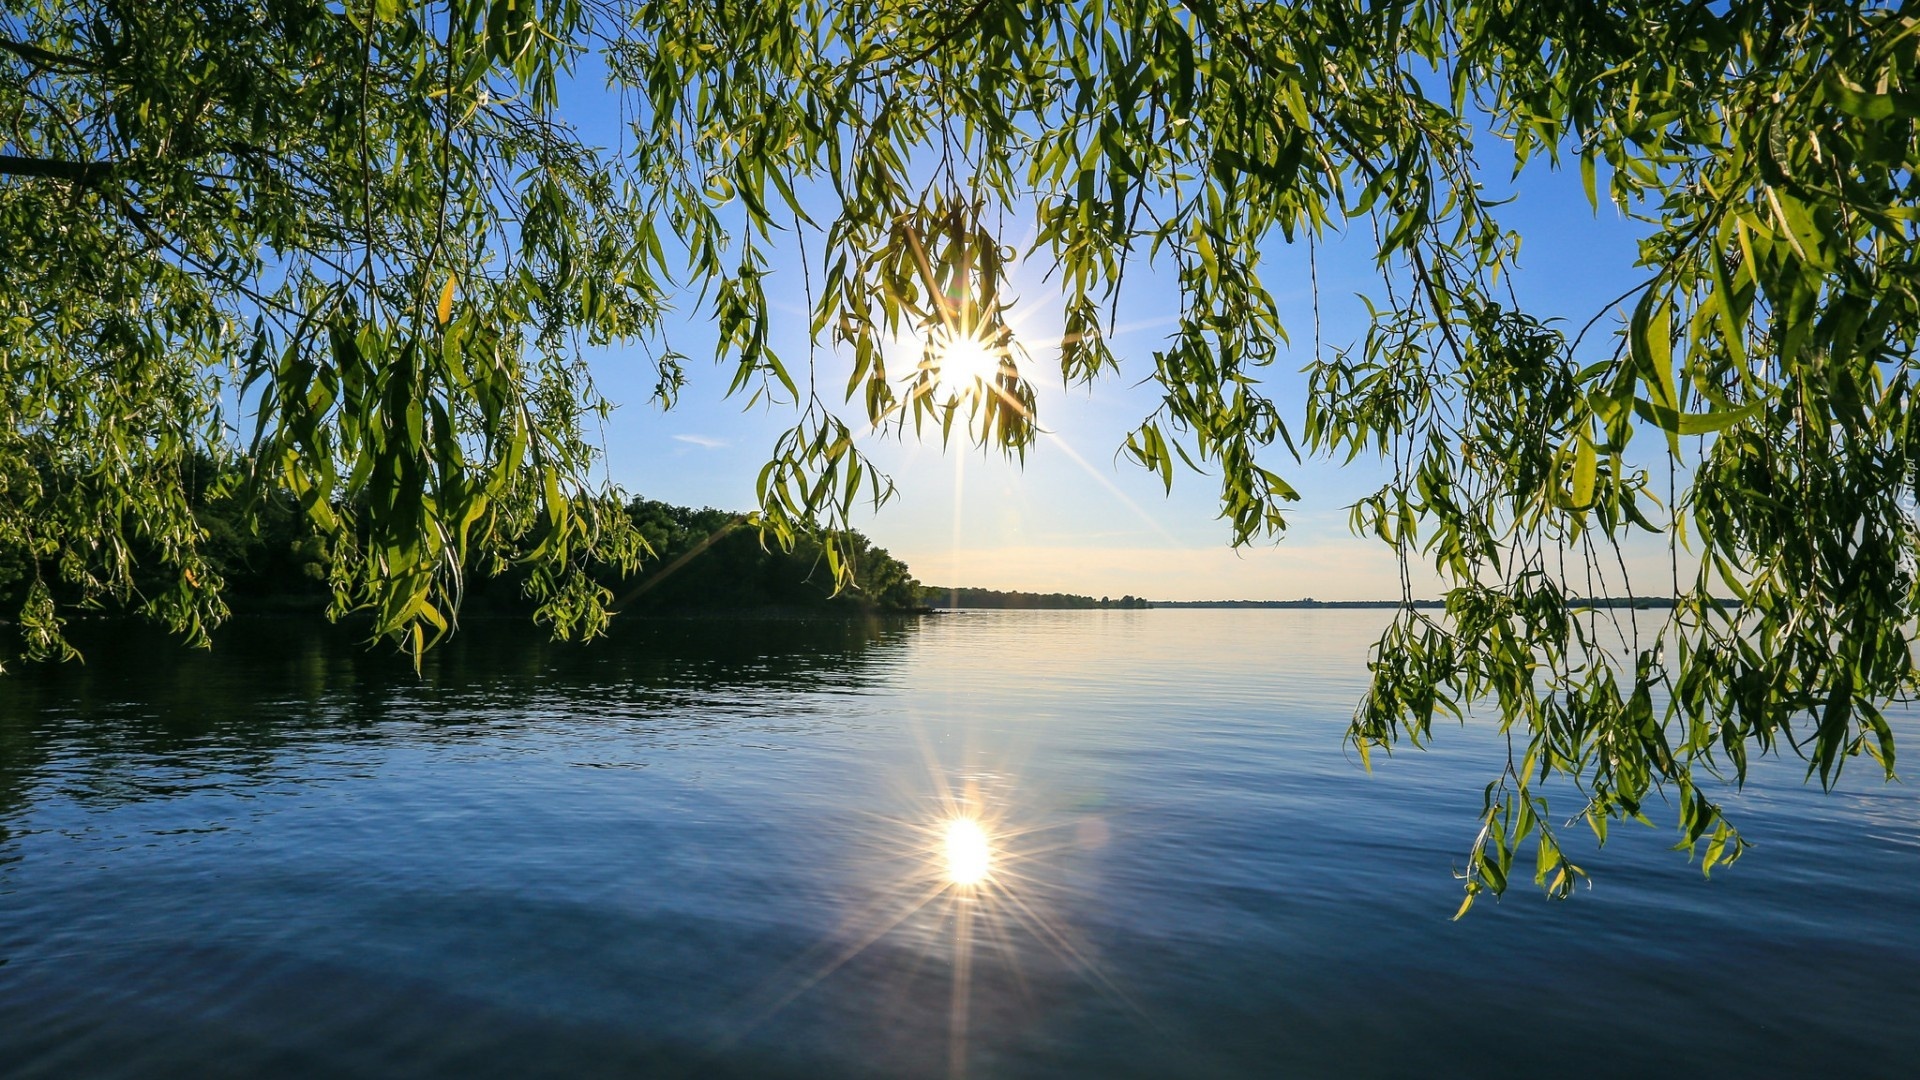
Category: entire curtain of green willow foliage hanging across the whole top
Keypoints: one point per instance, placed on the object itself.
(375, 216)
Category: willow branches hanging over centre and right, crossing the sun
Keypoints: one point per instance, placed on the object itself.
(1764, 366)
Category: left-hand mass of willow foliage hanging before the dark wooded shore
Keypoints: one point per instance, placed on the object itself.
(356, 243)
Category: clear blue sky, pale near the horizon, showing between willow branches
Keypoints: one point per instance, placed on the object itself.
(1076, 516)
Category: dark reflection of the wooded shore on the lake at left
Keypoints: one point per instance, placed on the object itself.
(145, 718)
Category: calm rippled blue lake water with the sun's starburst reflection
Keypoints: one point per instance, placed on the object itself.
(713, 848)
